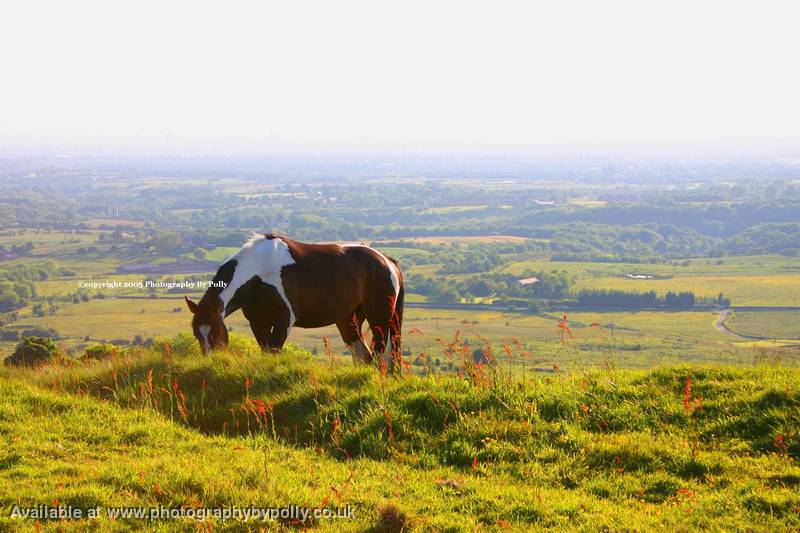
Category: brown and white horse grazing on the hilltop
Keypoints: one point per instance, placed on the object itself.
(280, 283)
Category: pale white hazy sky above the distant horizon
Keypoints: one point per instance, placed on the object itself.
(420, 76)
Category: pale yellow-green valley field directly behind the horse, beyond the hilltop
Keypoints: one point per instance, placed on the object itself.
(640, 339)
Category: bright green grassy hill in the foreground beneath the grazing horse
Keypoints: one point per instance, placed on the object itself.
(673, 448)
